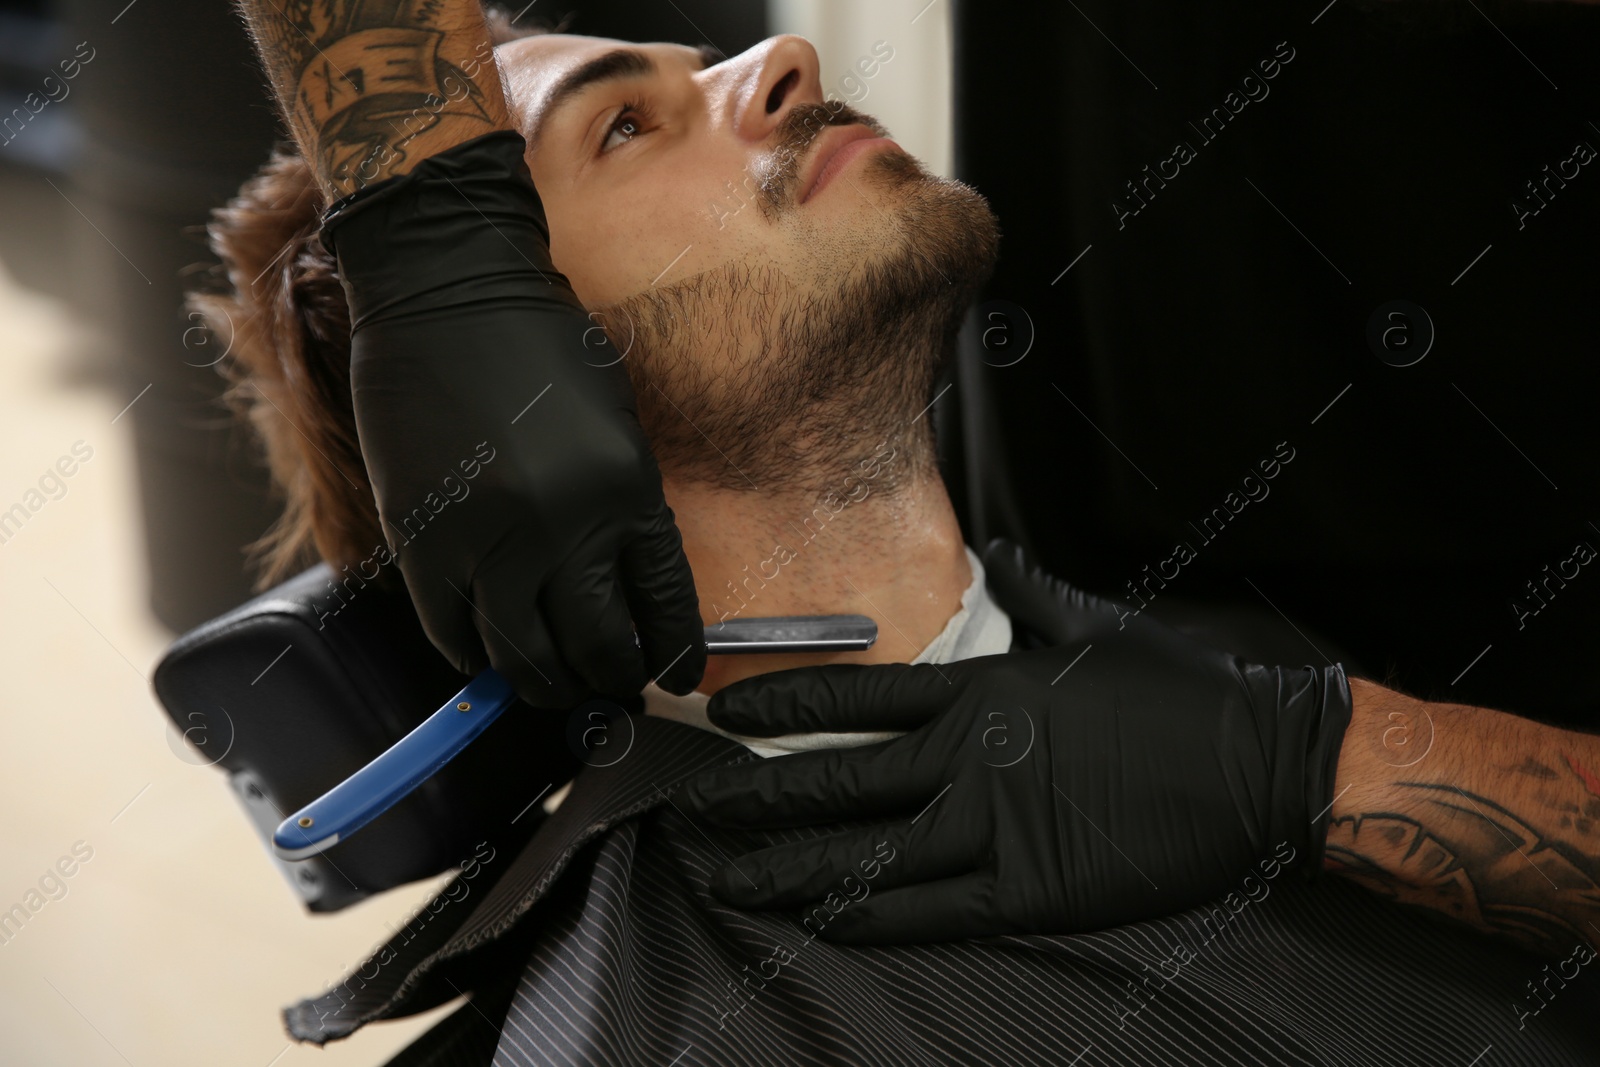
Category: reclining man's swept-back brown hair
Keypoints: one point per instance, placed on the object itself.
(287, 330)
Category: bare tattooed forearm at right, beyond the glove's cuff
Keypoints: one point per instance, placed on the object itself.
(1486, 818)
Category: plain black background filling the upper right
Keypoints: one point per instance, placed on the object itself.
(1231, 311)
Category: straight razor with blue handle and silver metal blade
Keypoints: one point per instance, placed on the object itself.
(441, 738)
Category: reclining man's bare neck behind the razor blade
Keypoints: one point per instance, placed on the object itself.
(895, 557)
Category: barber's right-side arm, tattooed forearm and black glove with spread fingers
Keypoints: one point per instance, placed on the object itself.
(1130, 772)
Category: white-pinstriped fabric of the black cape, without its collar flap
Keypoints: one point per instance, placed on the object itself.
(642, 967)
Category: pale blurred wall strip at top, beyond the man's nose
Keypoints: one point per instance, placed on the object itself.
(911, 94)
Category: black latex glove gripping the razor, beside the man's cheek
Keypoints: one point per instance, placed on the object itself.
(502, 439)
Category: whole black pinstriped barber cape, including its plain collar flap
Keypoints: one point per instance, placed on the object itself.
(598, 943)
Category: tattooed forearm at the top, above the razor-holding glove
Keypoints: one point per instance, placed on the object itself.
(374, 87)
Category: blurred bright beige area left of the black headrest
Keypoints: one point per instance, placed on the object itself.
(175, 943)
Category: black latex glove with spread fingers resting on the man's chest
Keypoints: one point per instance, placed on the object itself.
(1126, 775)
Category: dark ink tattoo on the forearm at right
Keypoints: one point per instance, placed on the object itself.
(1516, 857)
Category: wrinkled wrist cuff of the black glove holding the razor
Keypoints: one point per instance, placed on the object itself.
(465, 226)
